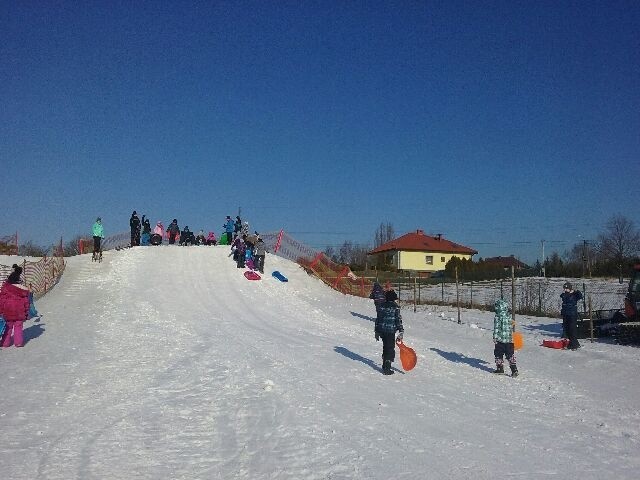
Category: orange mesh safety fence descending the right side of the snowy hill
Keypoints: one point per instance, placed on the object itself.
(337, 276)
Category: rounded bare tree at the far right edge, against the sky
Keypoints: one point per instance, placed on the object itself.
(620, 242)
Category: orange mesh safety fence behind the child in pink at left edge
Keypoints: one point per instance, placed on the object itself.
(41, 275)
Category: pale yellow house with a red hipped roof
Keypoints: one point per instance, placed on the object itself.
(420, 252)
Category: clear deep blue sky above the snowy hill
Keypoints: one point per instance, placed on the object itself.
(498, 124)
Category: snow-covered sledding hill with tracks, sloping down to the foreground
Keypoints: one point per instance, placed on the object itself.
(166, 363)
